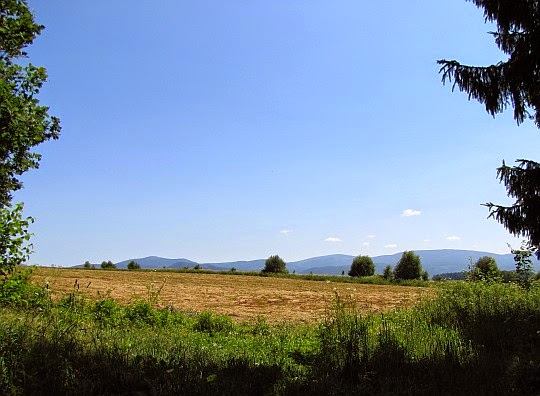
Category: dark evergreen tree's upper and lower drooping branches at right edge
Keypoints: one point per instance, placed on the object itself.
(515, 82)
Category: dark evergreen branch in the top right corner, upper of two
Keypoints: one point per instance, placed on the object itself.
(515, 81)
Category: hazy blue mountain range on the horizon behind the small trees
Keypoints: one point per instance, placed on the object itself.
(434, 261)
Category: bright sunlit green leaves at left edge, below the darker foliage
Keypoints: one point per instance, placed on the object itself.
(14, 236)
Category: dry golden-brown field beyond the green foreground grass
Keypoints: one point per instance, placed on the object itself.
(244, 298)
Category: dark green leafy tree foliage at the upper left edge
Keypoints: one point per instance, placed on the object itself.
(23, 122)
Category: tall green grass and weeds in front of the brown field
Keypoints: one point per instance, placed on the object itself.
(459, 338)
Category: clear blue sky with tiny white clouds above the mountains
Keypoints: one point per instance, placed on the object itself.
(233, 130)
